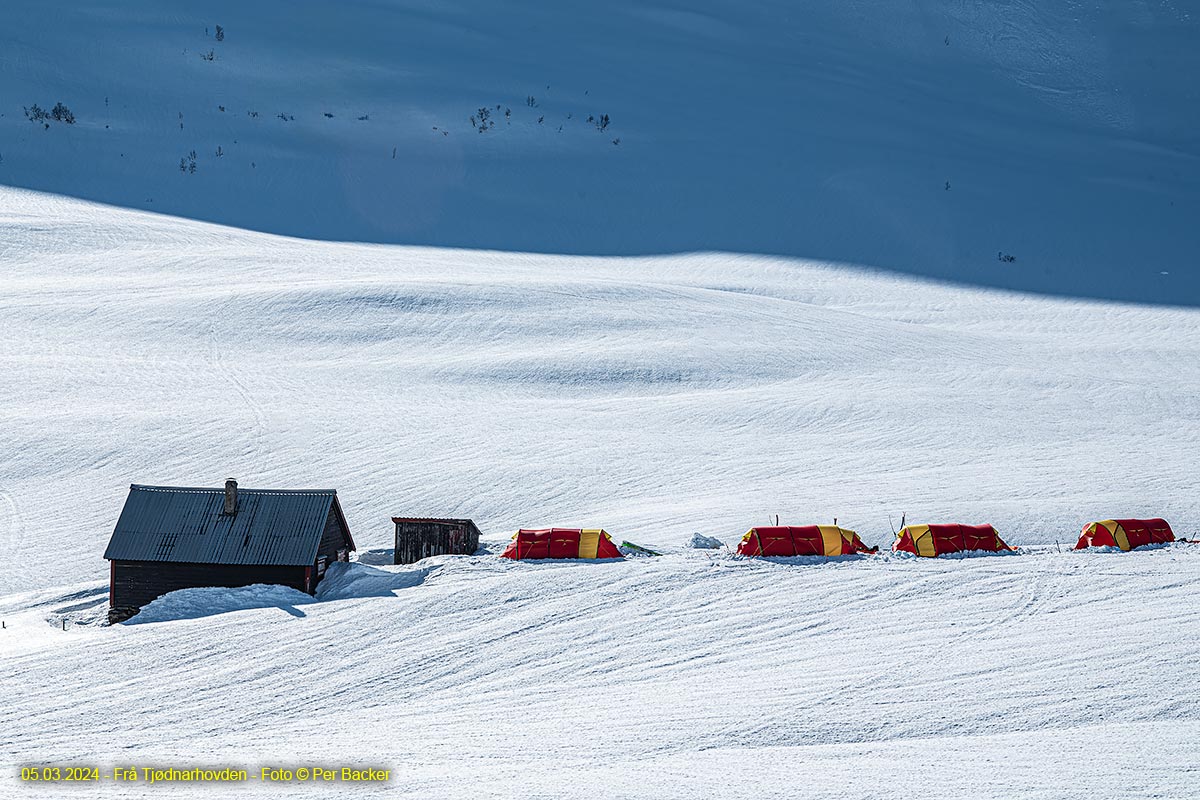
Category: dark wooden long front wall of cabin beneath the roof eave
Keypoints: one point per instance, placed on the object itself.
(136, 584)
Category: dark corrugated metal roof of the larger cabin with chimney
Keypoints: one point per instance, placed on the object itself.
(169, 524)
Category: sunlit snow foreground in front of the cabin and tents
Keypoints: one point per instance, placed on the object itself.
(692, 676)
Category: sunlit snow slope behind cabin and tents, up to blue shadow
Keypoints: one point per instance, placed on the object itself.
(655, 398)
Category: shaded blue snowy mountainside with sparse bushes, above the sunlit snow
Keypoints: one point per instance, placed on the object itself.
(927, 136)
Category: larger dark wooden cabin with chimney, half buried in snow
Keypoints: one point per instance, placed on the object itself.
(173, 538)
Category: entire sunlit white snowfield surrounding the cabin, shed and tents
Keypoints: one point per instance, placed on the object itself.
(655, 398)
